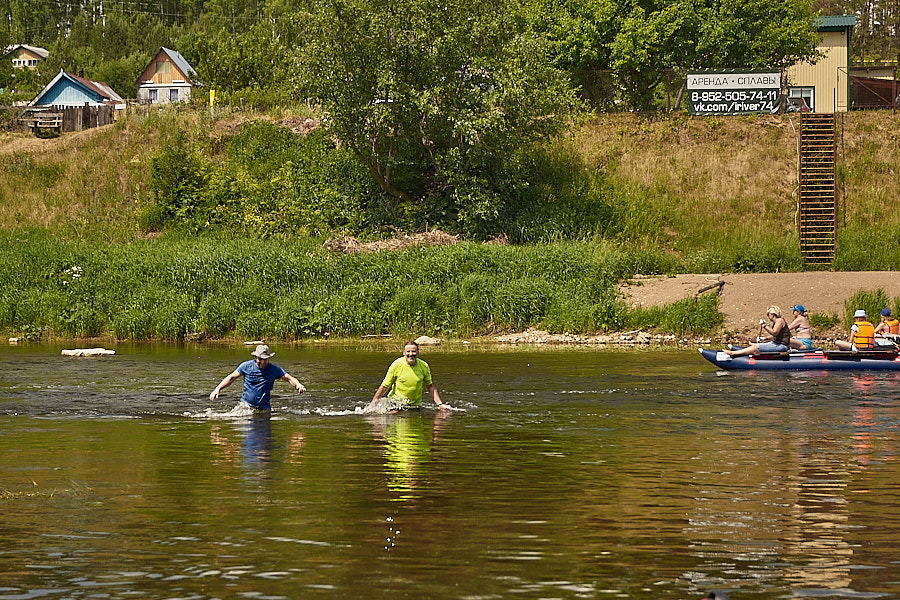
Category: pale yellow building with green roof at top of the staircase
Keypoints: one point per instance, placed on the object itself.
(825, 86)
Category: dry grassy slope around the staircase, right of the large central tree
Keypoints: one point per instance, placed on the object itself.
(726, 187)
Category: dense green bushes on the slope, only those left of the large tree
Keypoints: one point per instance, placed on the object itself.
(269, 181)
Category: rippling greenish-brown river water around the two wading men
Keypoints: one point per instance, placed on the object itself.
(570, 473)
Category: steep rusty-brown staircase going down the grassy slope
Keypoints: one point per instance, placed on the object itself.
(817, 211)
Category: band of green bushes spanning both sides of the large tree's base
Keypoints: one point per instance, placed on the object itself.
(267, 179)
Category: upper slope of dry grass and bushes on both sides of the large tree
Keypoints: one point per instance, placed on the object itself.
(718, 193)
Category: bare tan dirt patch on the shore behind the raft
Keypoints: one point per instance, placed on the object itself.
(745, 297)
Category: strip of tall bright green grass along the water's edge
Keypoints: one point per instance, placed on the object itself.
(181, 287)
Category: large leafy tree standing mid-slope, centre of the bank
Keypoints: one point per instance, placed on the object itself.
(434, 98)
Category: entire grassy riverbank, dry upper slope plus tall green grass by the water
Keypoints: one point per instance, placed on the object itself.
(80, 254)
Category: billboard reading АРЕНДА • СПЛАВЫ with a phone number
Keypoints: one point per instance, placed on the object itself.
(733, 92)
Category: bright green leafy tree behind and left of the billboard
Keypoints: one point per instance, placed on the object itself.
(636, 40)
